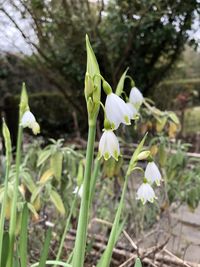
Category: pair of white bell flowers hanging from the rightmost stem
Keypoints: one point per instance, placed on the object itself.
(151, 175)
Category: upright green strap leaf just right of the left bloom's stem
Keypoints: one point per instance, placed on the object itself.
(24, 237)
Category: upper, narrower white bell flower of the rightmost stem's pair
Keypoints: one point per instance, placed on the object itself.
(152, 173)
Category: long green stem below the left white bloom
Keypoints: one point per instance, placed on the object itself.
(14, 201)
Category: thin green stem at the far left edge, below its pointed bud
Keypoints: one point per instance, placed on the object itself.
(3, 208)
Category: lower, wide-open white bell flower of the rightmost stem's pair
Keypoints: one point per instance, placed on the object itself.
(145, 193)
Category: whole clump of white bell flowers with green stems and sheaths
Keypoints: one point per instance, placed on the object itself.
(117, 111)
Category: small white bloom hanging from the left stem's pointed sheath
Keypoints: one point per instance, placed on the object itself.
(28, 120)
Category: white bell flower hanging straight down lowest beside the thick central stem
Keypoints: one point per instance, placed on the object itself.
(109, 145)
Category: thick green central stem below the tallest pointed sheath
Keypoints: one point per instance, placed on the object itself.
(80, 242)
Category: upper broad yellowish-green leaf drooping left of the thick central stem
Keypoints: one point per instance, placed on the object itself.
(56, 164)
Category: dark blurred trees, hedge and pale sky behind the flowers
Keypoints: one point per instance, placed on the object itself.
(42, 42)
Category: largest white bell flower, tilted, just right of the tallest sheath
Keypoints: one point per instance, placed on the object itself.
(117, 111)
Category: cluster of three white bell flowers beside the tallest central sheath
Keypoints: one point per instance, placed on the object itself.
(117, 111)
